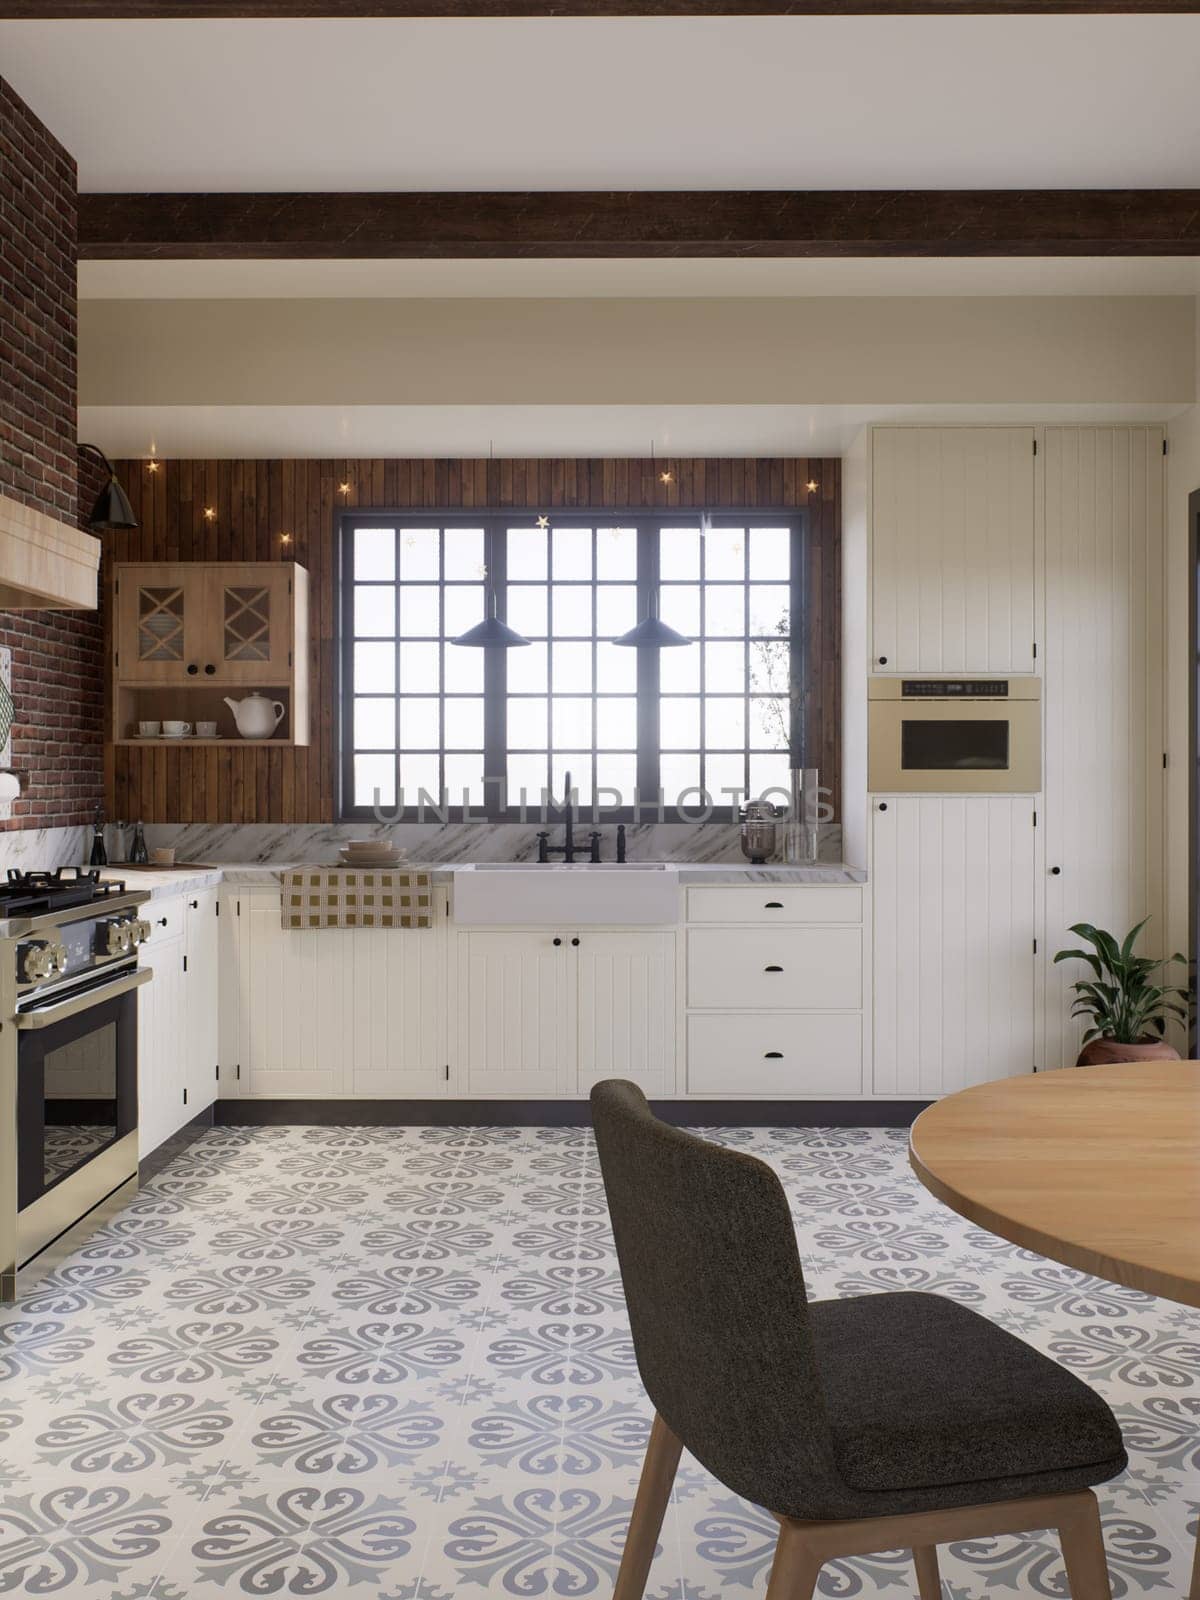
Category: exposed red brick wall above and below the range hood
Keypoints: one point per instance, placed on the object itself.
(58, 657)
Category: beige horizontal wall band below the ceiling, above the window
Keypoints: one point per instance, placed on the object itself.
(1025, 351)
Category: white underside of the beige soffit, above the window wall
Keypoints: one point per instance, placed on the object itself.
(534, 431)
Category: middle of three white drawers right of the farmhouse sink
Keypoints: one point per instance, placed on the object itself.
(775, 969)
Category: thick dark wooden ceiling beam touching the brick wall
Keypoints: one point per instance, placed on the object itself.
(642, 223)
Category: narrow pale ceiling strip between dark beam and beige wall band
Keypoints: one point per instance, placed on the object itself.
(638, 279)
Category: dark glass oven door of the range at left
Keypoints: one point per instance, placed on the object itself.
(78, 1090)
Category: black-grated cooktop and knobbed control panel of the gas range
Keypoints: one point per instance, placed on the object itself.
(65, 926)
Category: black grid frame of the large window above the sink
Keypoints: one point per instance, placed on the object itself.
(495, 524)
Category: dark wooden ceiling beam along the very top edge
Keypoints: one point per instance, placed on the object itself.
(92, 10)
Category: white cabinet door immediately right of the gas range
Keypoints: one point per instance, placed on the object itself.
(162, 1042)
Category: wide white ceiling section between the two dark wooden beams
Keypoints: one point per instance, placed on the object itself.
(793, 103)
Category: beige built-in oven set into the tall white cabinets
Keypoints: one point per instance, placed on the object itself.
(954, 735)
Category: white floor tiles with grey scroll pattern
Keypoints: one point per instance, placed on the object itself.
(398, 1362)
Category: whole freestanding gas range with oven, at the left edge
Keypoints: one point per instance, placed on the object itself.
(68, 1062)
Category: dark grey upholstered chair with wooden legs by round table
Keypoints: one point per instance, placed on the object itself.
(862, 1425)
